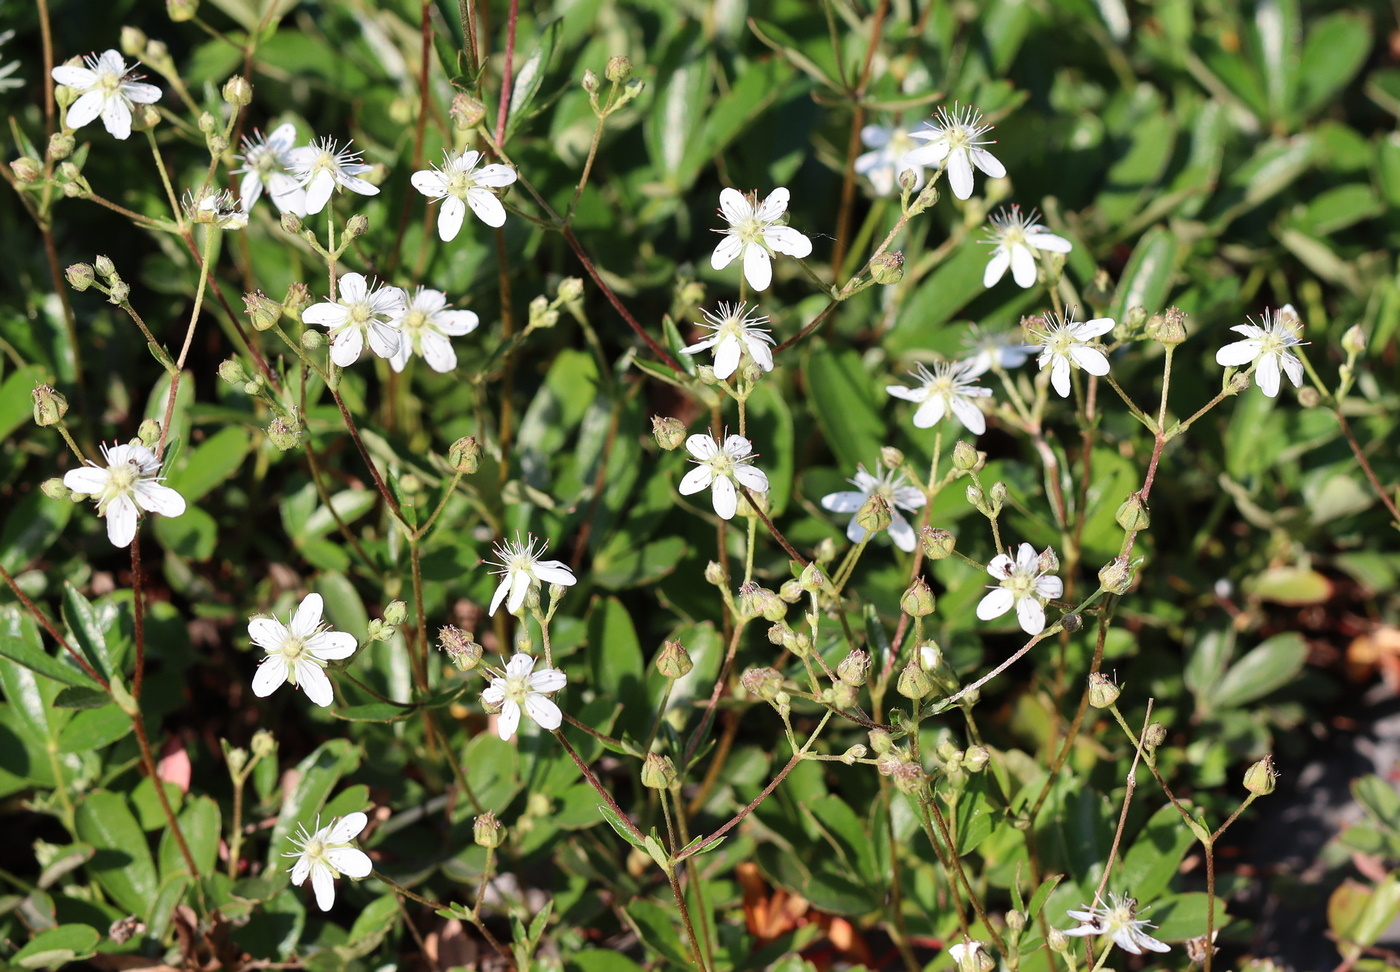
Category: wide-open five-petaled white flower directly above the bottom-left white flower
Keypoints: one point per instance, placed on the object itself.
(299, 652)
